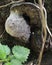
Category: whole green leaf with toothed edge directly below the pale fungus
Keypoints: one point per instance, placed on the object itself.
(21, 53)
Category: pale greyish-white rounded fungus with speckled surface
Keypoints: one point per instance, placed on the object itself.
(17, 27)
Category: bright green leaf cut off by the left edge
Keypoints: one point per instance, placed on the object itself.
(4, 51)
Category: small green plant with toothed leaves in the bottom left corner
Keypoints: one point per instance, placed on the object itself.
(17, 56)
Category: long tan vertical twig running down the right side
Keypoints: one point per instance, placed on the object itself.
(43, 21)
